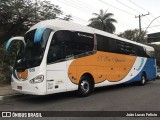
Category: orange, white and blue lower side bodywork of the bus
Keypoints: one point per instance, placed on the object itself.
(97, 68)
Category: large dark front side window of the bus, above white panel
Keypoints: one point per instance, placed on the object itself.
(67, 44)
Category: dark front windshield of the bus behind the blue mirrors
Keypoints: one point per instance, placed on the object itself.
(32, 54)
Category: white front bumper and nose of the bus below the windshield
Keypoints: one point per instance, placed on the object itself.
(25, 86)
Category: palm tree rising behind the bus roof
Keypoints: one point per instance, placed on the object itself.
(103, 21)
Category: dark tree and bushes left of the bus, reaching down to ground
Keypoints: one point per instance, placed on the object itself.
(16, 16)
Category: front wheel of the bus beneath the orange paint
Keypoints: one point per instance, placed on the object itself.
(85, 86)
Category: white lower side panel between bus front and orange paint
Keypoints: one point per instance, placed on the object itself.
(57, 78)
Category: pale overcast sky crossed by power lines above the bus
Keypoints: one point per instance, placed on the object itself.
(124, 12)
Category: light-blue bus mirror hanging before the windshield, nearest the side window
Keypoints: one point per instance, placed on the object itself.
(38, 35)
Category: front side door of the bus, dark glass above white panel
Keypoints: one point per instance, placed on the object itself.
(56, 65)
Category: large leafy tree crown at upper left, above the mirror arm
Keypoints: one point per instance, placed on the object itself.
(17, 16)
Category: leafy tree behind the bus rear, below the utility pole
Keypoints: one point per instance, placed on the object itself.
(134, 35)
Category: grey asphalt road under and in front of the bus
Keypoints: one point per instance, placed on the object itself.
(114, 98)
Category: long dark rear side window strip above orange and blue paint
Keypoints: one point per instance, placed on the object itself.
(107, 44)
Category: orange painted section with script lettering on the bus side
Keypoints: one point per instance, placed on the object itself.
(102, 66)
